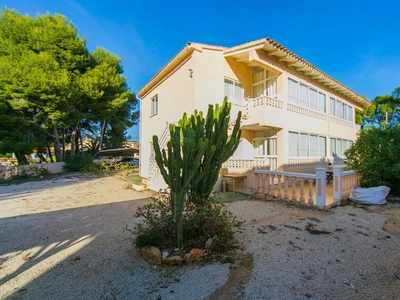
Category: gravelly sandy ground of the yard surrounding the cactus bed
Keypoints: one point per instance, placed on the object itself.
(63, 238)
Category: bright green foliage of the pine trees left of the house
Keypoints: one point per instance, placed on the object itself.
(53, 87)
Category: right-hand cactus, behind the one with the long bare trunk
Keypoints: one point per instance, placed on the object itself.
(220, 147)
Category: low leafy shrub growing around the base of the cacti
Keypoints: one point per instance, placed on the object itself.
(199, 224)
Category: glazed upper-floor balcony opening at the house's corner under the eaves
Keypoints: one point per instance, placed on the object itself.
(264, 82)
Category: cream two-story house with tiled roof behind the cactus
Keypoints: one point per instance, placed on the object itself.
(295, 116)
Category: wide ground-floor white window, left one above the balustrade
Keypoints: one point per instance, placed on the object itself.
(306, 145)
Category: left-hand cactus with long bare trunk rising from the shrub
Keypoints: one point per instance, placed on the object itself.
(182, 161)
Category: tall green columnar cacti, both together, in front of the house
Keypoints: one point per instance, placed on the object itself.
(198, 147)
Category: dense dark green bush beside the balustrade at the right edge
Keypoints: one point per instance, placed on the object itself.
(376, 154)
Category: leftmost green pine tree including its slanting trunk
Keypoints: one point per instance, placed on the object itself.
(41, 59)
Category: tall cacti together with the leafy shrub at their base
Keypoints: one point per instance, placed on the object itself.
(190, 166)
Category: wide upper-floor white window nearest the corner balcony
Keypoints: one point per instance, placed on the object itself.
(305, 96)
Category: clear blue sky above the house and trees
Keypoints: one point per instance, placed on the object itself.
(356, 42)
